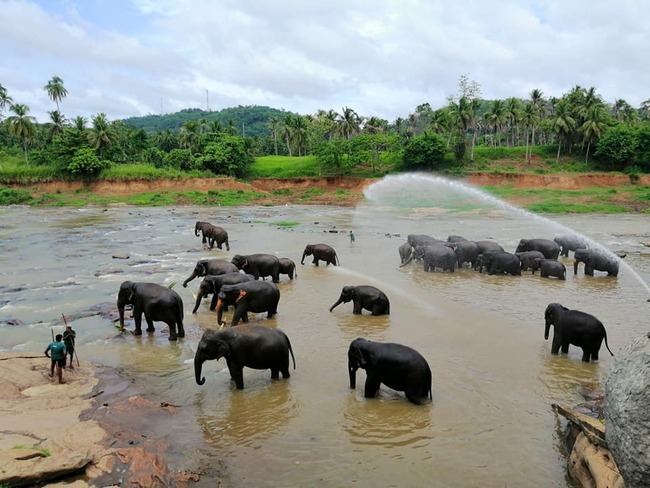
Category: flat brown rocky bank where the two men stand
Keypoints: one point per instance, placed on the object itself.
(88, 430)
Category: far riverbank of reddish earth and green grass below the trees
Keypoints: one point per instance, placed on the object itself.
(542, 193)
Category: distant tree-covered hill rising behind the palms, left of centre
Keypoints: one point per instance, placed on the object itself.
(250, 121)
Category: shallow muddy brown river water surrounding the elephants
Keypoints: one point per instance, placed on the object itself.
(490, 422)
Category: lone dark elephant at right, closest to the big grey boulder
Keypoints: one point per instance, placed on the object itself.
(574, 327)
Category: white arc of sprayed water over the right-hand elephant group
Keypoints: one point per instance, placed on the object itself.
(423, 190)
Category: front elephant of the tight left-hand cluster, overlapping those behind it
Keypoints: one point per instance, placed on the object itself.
(251, 296)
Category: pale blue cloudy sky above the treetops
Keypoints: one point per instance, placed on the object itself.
(381, 58)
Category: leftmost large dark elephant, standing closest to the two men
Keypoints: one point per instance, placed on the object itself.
(158, 303)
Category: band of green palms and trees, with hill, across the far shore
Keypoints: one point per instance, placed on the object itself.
(581, 124)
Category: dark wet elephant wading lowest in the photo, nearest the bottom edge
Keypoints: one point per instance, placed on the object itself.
(397, 366)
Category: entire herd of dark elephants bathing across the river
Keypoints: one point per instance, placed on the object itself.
(240, 283)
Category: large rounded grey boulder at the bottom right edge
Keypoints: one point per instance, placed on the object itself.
(627, 416)
